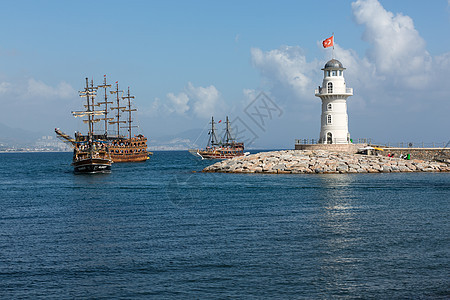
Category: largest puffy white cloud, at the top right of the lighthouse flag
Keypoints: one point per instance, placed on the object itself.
(397, 49)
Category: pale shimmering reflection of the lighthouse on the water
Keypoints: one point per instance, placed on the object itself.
(340, 233)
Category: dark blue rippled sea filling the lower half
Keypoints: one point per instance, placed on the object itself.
(162, 229)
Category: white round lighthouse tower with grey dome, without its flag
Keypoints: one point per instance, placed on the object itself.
(334, 94)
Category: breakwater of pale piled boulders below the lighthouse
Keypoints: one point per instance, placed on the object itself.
(322, 161)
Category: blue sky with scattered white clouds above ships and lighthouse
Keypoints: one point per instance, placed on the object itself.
(257, 62)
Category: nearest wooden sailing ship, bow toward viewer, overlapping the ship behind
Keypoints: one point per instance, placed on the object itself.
(90, 155)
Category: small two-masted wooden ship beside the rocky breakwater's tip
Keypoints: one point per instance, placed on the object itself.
(220, 149)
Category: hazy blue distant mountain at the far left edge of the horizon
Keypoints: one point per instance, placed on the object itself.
(17, 137)
